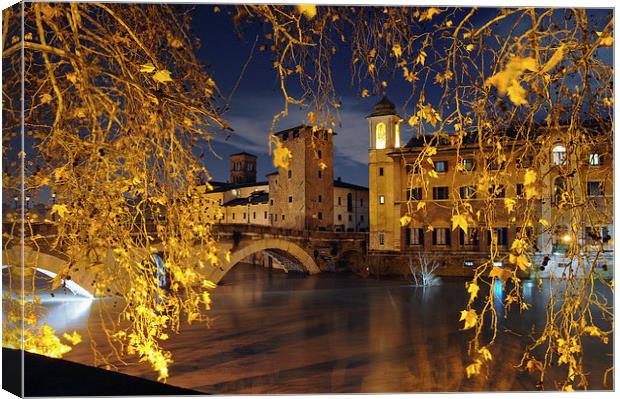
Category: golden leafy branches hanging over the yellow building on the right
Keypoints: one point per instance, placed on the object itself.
(511, 83)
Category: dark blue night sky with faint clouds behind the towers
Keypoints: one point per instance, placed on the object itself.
(258, 96)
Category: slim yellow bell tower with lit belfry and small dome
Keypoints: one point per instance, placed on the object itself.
(384, 176)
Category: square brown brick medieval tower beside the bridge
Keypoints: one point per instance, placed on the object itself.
(302, 197)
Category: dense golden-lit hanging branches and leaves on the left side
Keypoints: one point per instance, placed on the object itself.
(116, 106)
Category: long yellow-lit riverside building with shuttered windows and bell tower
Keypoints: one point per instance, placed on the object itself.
(396, 189)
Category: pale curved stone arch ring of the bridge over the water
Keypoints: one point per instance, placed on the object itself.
(282, 247)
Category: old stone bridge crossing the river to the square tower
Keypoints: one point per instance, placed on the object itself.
(304, 251)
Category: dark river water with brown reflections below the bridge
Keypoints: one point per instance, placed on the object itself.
(274, 332)
